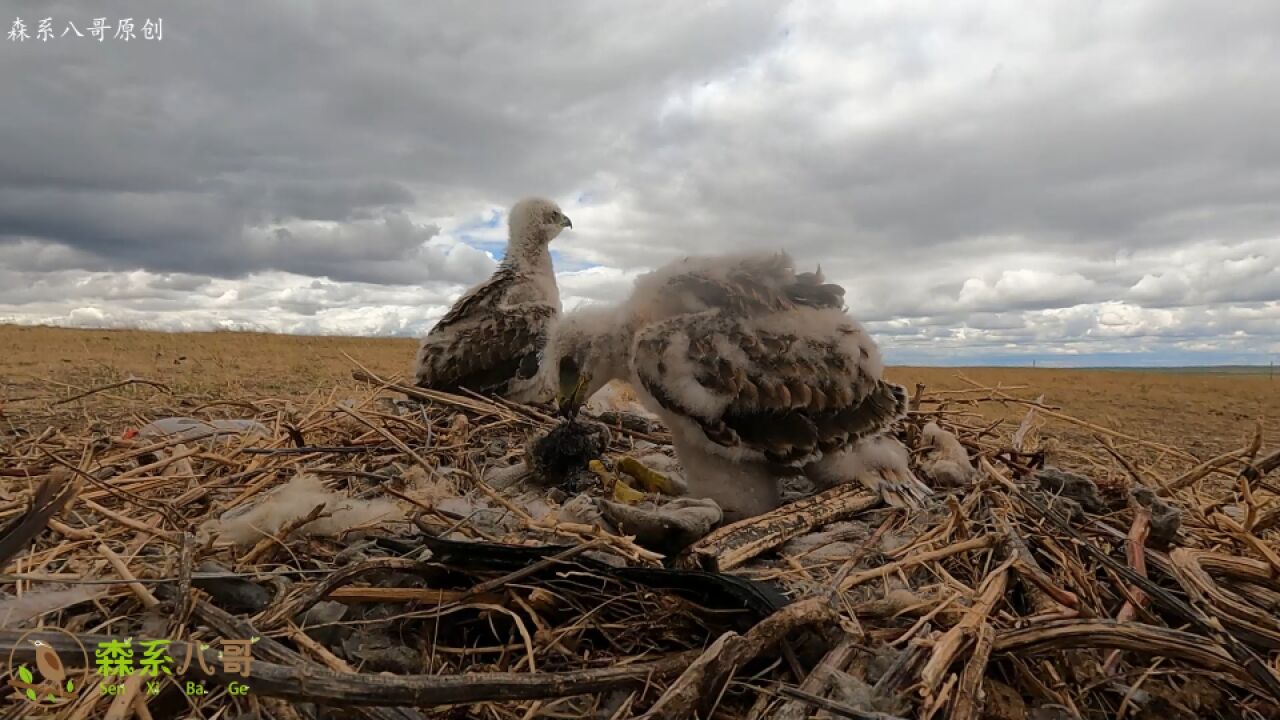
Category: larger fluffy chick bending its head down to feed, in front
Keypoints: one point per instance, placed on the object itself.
(757, 371)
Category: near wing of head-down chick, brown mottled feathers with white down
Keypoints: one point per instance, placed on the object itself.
(788, 388)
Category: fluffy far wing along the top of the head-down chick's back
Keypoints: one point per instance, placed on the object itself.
(739, 285)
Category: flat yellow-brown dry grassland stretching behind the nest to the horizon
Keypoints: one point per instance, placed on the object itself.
(1204, 414)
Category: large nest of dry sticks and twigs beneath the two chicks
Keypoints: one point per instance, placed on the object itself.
(380, 578)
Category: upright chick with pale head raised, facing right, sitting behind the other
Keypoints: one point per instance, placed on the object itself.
(492, 341)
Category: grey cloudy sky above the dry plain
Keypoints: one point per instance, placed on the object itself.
(1075, 183)
